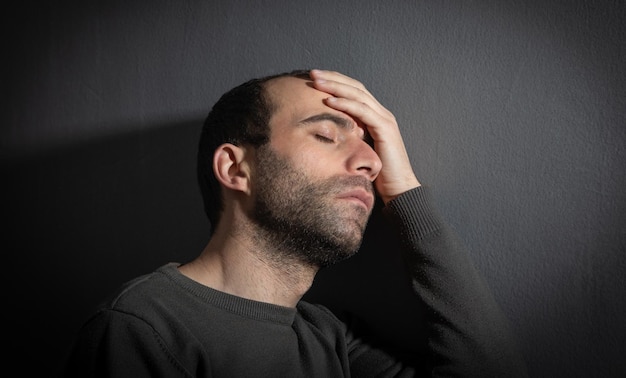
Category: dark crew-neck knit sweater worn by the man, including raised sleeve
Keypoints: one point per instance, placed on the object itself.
(166, 325)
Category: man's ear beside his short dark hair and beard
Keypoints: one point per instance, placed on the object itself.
(231, 167)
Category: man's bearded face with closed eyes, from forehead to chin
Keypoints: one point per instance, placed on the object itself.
(313, 181)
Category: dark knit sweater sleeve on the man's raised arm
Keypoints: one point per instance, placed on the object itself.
(468, 334)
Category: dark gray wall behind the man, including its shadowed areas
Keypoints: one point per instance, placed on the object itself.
(513, 113)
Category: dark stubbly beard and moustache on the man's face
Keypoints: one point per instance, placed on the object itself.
(301, 218)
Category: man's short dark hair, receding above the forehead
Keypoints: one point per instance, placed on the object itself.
(241, 117)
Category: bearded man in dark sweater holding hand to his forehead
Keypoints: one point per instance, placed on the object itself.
(289, 166)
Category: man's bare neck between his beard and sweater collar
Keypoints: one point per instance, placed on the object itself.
(246, 266)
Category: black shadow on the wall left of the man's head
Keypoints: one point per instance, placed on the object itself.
(84, 219)
